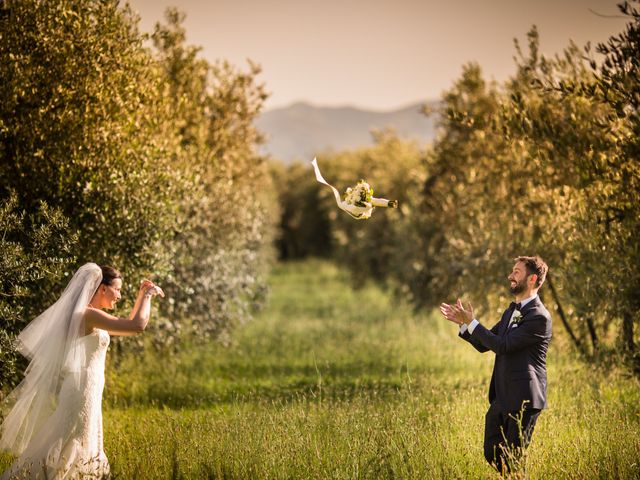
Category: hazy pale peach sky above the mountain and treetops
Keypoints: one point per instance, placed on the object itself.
(378, 54)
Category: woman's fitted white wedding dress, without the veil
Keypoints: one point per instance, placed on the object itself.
(69, 444)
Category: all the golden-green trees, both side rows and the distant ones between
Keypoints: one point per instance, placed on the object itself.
(128, 148)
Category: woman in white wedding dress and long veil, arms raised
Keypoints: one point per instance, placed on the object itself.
(55, 423)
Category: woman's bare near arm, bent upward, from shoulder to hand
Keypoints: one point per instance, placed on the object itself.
(94, 318)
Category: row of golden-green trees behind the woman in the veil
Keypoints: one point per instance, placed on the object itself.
(128, 149)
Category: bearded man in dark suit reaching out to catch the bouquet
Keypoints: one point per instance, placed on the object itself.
(520, 340)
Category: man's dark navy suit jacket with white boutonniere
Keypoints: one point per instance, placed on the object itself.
(520, 369)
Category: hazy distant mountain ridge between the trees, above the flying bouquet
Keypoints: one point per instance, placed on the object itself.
(302, 130)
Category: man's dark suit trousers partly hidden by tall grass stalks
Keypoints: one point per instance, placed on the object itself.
(505, 432)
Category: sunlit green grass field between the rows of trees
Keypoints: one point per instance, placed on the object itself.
(329, 382)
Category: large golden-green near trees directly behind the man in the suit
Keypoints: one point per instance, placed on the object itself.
(544, 163)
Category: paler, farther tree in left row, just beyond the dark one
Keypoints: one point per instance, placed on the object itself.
(220, 254)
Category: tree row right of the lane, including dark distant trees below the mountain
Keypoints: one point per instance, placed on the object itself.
(546, 162)
